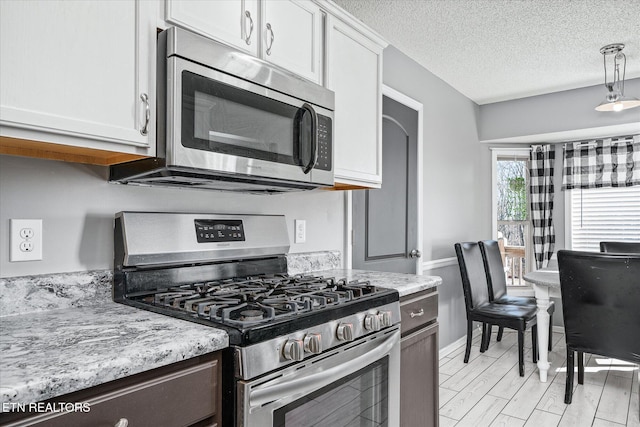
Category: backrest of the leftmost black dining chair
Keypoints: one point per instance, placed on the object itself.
(474, 280)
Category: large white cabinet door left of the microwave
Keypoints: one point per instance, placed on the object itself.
(73, 73)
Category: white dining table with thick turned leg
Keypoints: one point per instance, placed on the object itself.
(546, 284)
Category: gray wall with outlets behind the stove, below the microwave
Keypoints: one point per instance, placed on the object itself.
(77, 206)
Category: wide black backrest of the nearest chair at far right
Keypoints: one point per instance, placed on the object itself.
(601, 303)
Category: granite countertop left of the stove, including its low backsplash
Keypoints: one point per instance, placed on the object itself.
(83, 338)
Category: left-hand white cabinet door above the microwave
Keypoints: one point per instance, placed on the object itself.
(234, 22)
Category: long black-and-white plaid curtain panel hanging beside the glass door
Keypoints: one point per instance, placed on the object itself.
(541, 192)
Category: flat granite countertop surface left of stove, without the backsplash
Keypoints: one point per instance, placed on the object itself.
(52, 353)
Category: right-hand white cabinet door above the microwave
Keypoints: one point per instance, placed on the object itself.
(292, 36)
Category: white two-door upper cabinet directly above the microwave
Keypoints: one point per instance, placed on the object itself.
(287, 33)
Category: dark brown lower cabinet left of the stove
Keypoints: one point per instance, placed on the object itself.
(183, 394)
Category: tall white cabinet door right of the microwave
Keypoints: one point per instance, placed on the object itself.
(354, 73)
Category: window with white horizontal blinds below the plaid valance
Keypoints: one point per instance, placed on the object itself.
(602, 214)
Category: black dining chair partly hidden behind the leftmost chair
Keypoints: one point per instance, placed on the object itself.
(494, 269)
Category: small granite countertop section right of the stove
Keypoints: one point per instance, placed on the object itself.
(405, 284)
